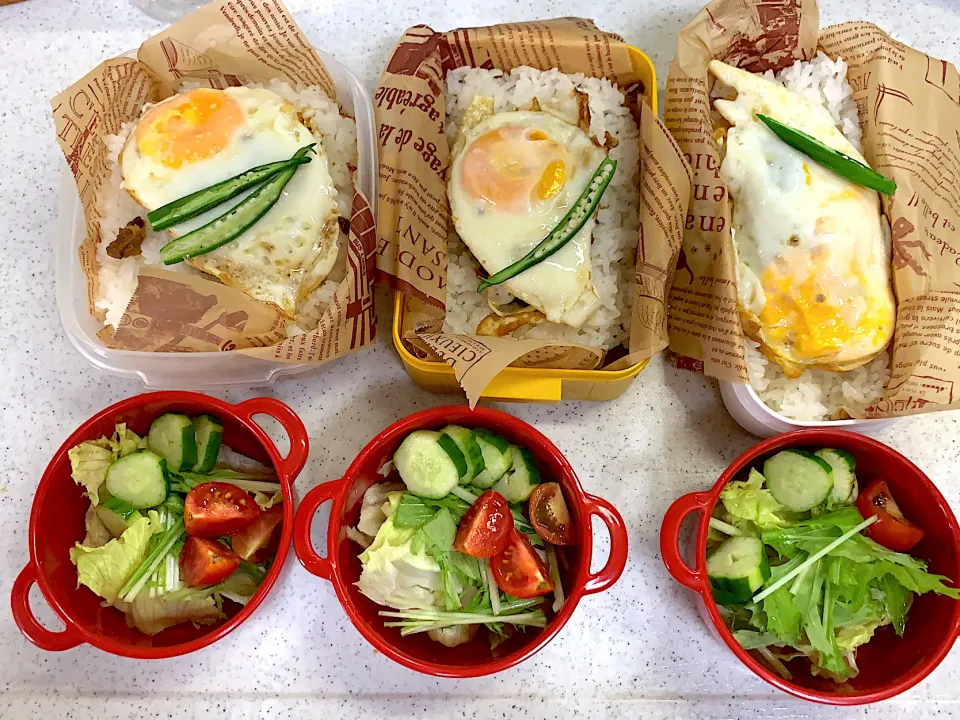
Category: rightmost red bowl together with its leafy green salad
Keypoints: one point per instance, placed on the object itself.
(827, 562)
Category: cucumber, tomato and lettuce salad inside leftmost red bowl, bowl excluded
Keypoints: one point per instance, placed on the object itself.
(178, 523)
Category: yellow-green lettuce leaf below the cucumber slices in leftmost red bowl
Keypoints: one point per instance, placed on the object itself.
(105, 569)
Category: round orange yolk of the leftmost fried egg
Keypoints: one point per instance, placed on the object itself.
(191, 127)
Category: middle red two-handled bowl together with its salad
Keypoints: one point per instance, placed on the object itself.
(459, 541)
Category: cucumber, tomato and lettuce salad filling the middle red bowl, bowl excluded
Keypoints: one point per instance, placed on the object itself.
(463, 535)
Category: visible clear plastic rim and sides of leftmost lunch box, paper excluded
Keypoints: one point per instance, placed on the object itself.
(192, 370)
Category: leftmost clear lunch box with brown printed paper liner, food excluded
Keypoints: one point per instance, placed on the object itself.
(202, 333)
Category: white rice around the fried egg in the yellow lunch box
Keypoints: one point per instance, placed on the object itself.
(616, 233)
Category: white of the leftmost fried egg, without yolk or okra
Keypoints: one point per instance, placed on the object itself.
(292, 248)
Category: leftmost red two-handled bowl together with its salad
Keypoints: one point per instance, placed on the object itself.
(160, 525)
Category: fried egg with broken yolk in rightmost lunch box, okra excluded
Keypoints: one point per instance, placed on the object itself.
(813, 262)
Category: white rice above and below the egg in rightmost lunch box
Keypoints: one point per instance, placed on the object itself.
(819, 394)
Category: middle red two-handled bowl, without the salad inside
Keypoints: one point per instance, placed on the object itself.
(342, 567)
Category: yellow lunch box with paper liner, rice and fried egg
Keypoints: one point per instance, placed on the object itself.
(439, 328)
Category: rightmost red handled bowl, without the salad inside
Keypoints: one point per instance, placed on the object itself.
(888, 664)
